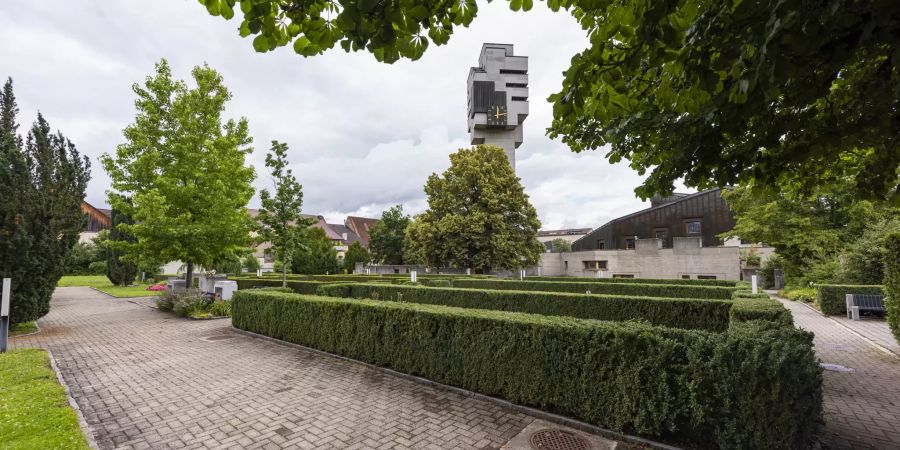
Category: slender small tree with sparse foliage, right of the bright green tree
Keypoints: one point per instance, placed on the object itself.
(280, 220)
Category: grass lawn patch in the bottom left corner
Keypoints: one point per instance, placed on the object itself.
(33, 409)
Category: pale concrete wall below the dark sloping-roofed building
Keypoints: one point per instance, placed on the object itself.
(647, 260)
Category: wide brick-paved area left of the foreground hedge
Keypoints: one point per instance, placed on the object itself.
(146, 379)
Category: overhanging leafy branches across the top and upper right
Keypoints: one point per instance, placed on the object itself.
(787, 93)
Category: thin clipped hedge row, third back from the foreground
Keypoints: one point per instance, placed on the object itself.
(642, 290)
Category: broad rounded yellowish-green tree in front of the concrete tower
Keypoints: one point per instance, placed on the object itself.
(478, 216)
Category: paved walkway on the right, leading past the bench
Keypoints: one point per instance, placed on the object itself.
(862, 408)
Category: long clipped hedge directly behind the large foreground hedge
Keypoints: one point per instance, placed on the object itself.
(712, 315)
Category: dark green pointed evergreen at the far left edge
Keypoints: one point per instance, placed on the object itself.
(42, 184)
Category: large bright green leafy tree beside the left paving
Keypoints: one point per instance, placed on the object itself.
(184, 172)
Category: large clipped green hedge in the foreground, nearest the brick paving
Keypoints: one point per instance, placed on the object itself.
(754, 386)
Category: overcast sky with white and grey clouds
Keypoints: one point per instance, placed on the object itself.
(363, 135)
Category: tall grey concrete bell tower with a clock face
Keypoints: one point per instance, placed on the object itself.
(498, 98)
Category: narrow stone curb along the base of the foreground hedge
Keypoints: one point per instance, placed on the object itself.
(544, 415)
